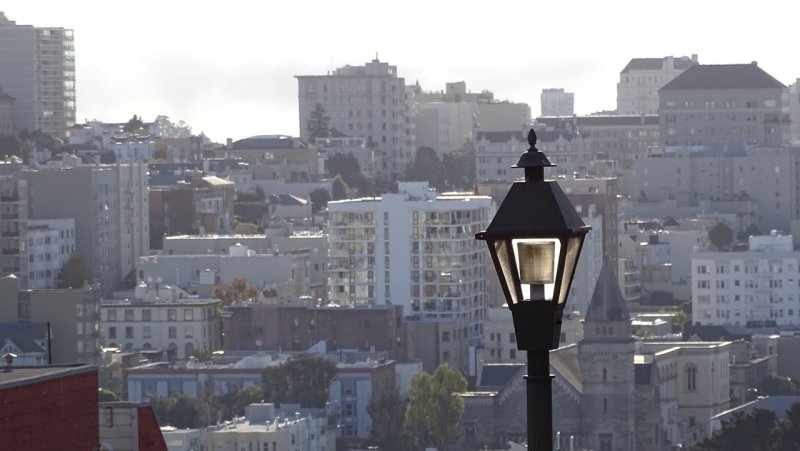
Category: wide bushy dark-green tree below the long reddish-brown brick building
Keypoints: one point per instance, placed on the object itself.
(302, 379)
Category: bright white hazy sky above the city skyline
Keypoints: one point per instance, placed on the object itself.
(227, 67)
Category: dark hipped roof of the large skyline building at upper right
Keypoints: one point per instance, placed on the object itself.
(723, 76)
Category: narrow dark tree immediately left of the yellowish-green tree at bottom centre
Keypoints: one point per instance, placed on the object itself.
(384, 408)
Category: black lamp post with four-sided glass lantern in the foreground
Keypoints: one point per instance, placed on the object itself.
(535, 239)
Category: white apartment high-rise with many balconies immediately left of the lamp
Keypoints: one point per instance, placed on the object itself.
(416, 249)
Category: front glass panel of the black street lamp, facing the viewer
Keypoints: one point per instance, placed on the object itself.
(539, 257)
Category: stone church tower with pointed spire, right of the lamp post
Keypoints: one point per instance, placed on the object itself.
(606, 357)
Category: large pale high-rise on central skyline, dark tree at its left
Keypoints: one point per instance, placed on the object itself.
(368, 101)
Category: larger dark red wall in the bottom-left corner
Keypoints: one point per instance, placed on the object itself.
(53, 414)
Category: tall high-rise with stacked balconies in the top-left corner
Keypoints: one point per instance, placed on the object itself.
(37, 68)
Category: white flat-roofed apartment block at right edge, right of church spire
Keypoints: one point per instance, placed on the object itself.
(756, 287)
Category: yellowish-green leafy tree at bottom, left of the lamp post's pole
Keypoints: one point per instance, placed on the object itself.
(434, 411)
